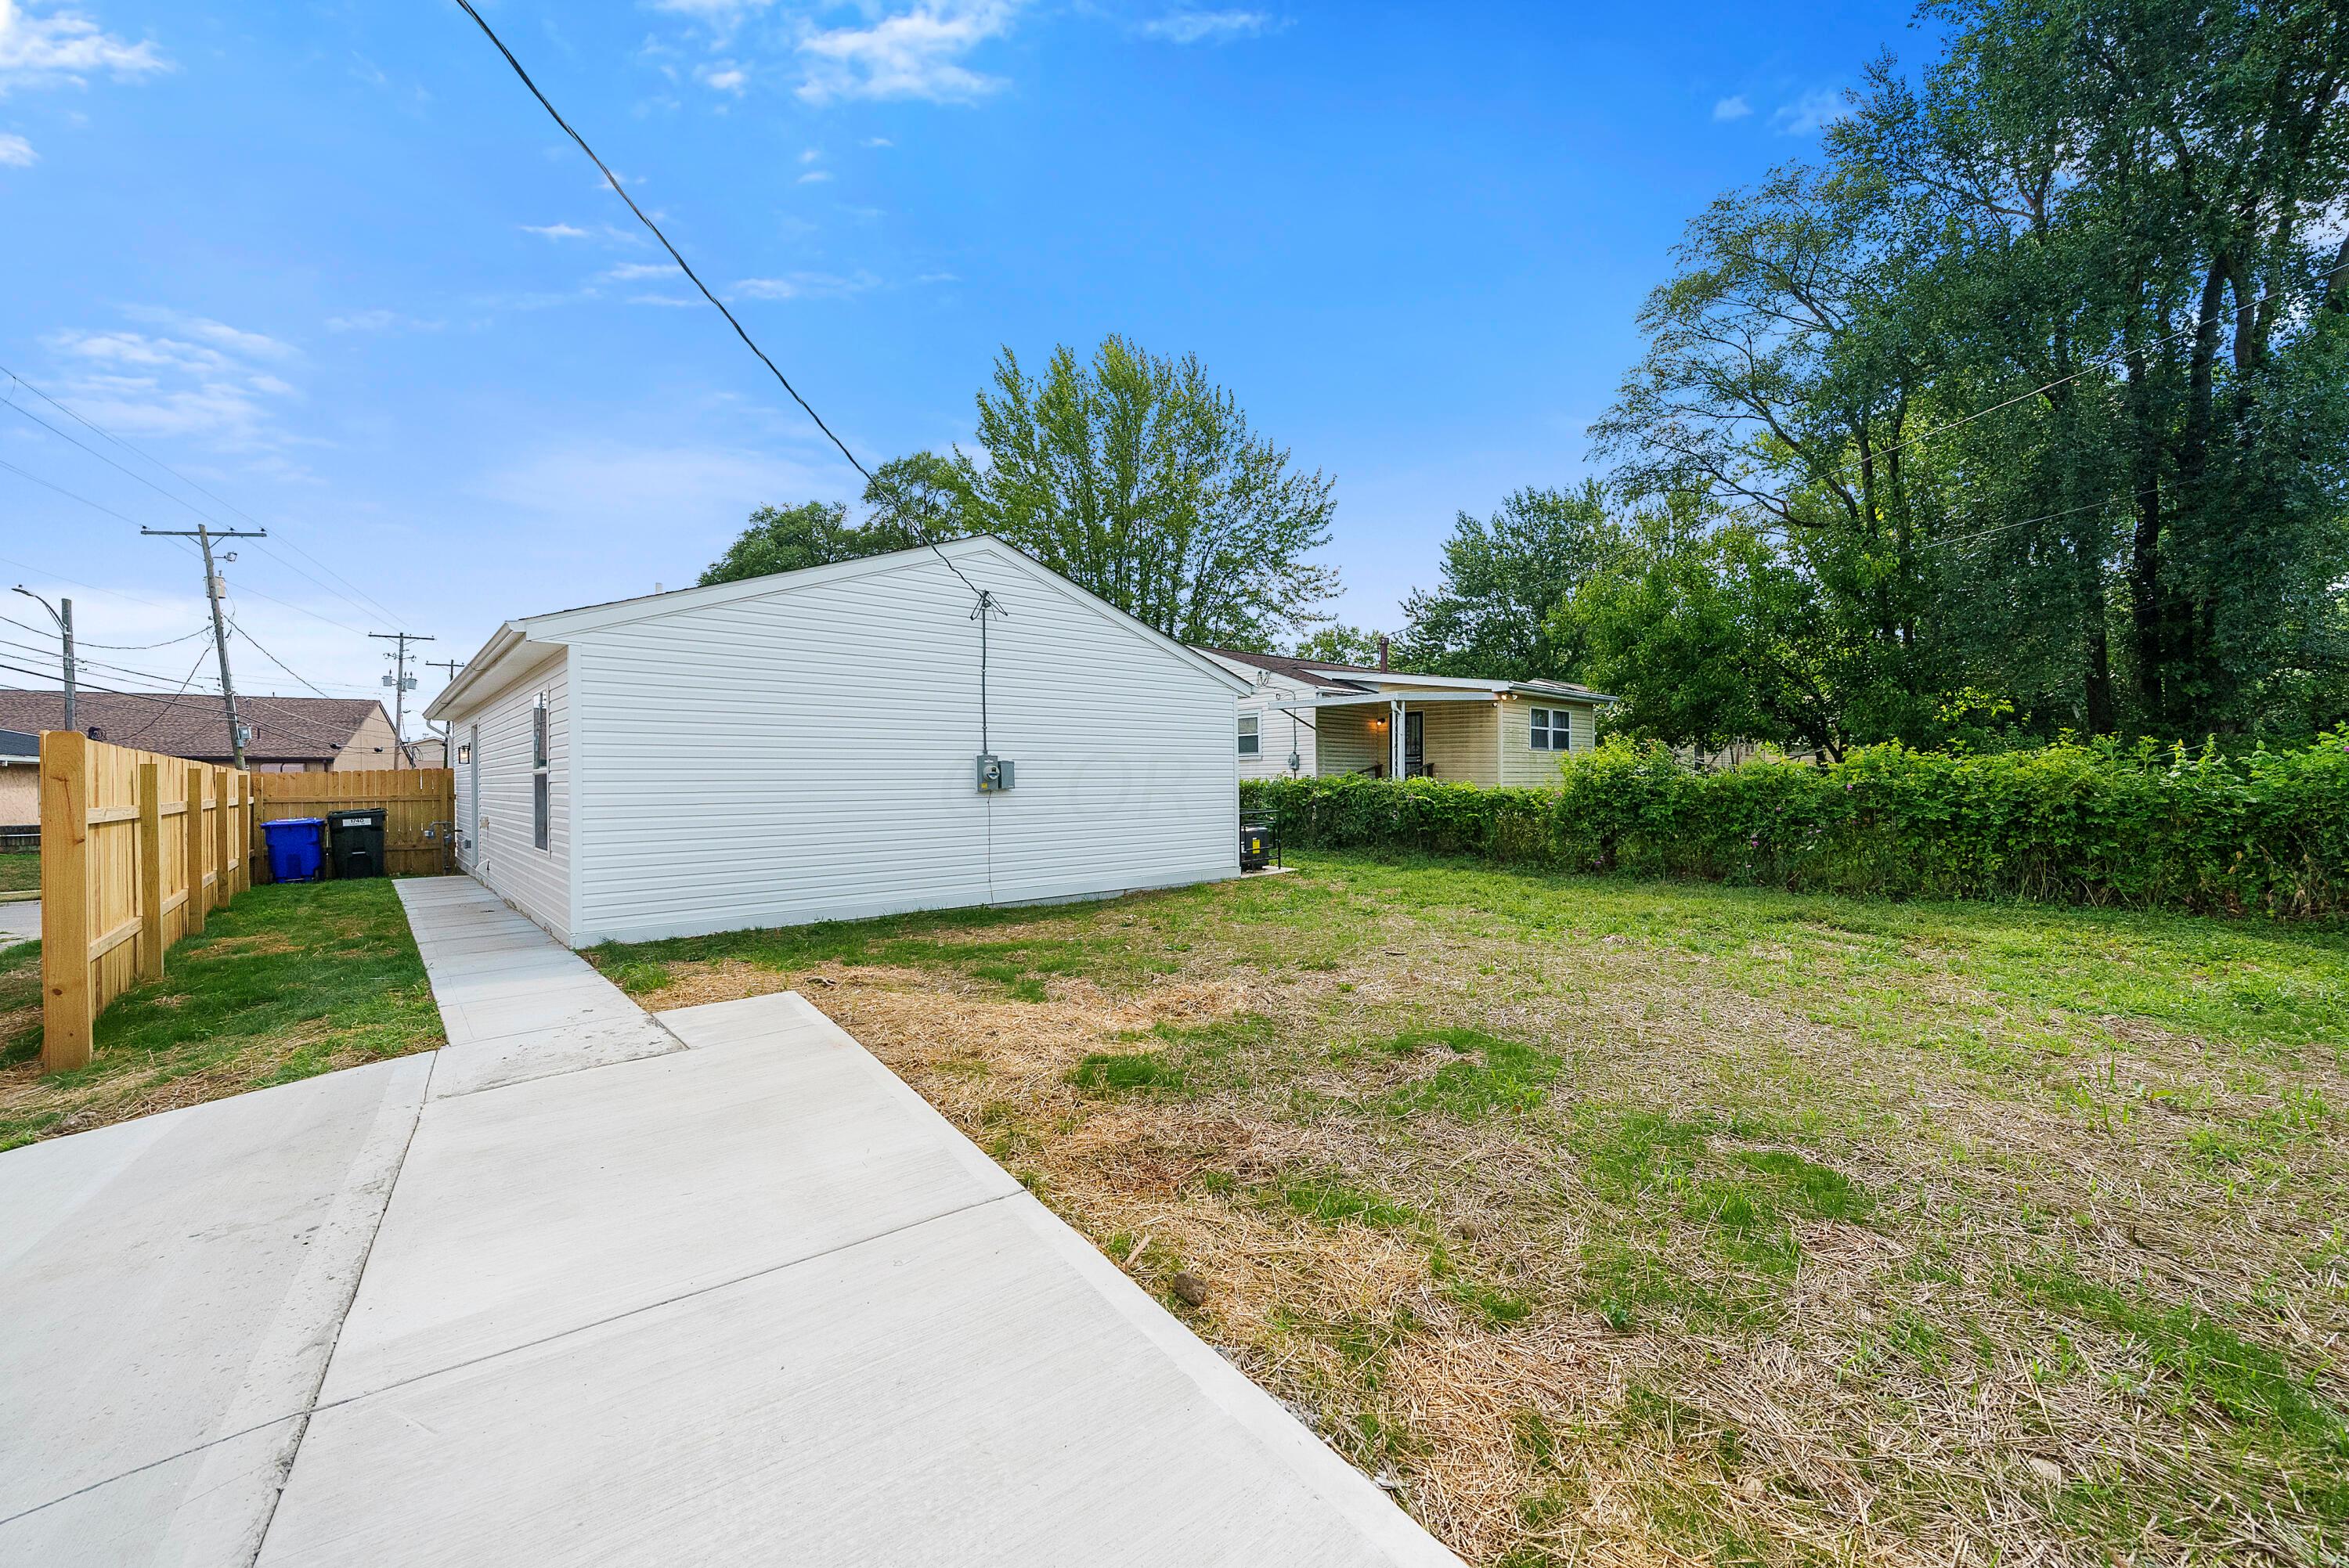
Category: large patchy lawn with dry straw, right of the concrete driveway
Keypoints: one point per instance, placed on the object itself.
(1660, 1224)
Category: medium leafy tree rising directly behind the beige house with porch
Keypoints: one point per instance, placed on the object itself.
(1502, 583)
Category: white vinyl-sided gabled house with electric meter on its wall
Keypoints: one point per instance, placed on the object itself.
(805, 748)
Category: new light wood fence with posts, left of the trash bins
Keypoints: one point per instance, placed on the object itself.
(135, 849)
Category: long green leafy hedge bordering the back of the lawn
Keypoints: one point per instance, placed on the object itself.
(2094, 823)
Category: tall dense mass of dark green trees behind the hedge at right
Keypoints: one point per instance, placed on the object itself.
(2038, 381)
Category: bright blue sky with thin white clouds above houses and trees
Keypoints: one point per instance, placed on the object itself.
(337, 269)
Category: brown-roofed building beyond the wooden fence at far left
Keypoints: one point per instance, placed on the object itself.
(288, 734)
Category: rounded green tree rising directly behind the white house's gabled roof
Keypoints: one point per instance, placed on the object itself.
(1140, 480)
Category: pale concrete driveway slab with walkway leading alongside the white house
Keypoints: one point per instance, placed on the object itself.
(598, 1287)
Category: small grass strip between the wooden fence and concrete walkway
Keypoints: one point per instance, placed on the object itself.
(288, 982)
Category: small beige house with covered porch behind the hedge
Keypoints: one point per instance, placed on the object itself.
(1314, 719)
